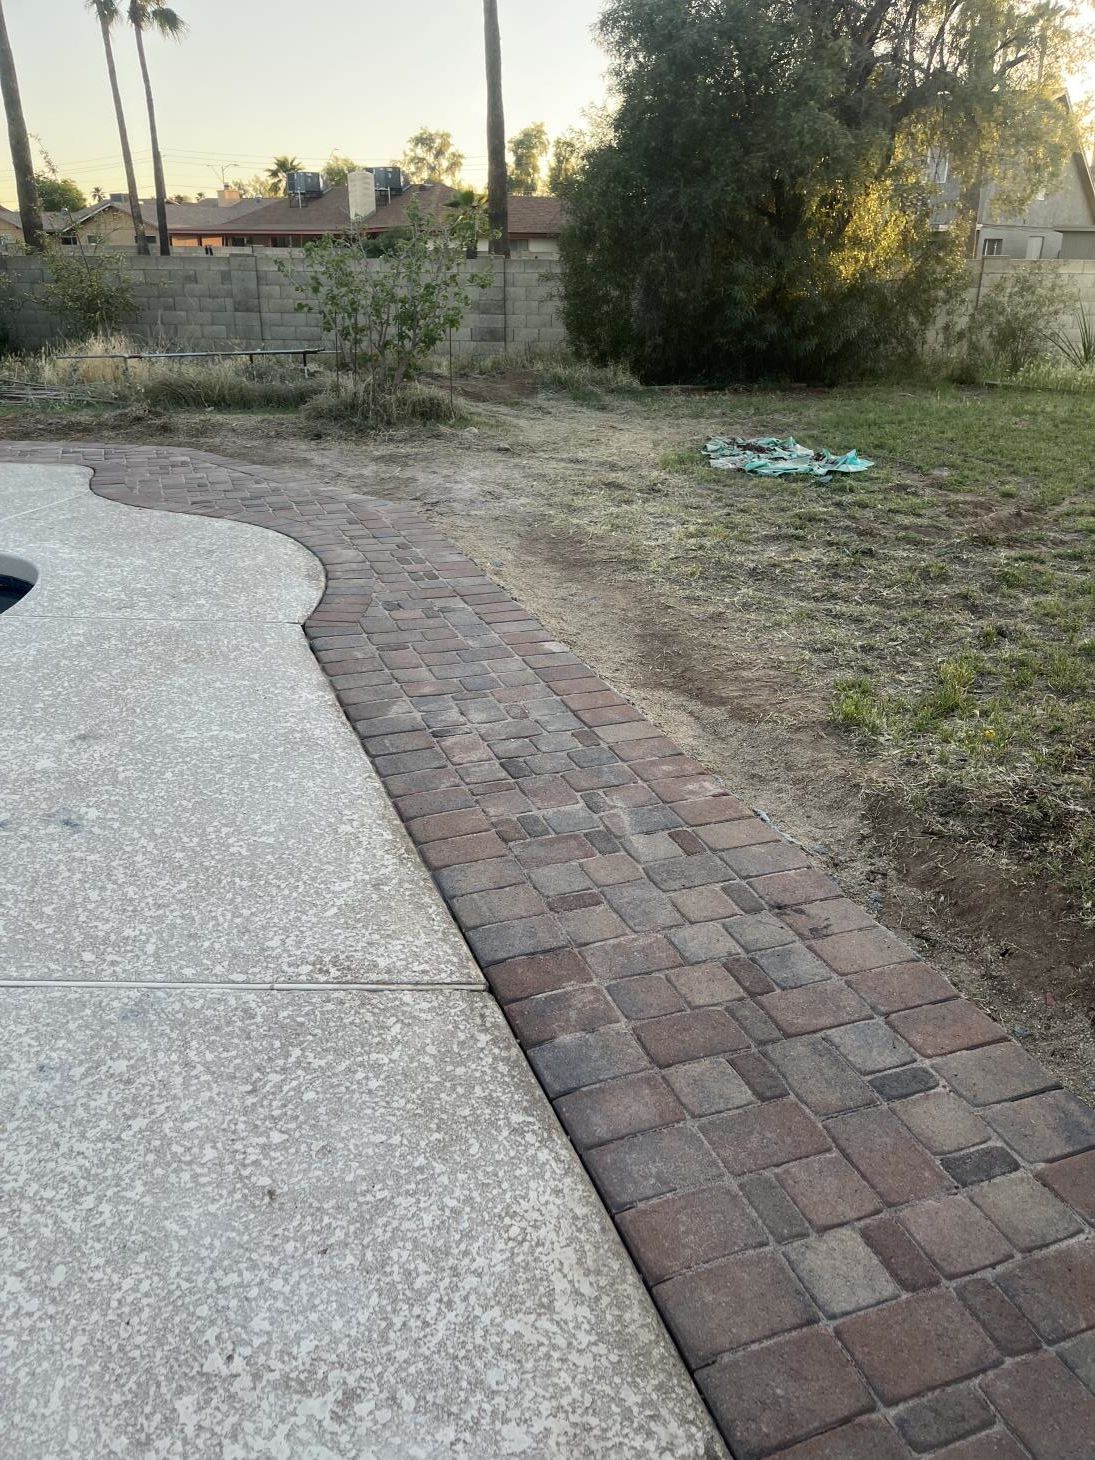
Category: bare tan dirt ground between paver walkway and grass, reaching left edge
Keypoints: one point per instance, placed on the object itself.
(739, 674)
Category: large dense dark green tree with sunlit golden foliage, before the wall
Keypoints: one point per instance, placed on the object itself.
(758, 205)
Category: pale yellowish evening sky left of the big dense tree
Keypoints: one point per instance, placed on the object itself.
(259, 78)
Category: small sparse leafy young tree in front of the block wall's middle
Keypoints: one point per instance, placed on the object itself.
(388, 318)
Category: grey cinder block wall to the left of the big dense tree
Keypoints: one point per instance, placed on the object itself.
(201, 303)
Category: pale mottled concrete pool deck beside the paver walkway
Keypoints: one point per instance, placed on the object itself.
(277, 1177)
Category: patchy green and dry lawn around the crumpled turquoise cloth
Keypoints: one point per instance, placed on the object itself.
(945, 601)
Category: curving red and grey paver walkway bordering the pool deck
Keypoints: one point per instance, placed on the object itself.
(862, 1210)
